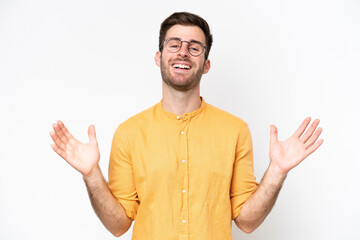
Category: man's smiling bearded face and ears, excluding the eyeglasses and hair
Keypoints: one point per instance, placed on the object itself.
(181, 70)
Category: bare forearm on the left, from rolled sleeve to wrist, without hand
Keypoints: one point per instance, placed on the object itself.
(105, 205)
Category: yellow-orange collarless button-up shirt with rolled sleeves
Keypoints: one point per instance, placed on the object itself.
(182, 177)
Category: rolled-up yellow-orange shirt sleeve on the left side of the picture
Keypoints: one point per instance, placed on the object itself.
(121, 178)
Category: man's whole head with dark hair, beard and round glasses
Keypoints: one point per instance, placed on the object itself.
(185, 42)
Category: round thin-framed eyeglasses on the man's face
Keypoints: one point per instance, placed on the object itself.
(173, 45)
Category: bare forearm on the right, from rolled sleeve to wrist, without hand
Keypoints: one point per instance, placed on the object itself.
(258, 206)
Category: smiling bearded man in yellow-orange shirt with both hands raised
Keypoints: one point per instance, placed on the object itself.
(183, 168)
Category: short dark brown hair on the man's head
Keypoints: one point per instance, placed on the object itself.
(186, 19)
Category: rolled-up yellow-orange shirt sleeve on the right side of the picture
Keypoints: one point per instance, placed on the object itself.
(243, 183)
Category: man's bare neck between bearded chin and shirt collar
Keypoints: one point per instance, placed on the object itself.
(178, 102)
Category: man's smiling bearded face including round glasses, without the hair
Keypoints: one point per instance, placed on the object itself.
(182, 67)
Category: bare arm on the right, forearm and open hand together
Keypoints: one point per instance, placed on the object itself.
(284, 156)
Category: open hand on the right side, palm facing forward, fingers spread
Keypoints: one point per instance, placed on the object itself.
(289, 153)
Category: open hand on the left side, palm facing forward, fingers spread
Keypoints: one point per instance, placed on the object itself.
(84, 157)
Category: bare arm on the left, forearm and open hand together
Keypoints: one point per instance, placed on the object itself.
(85, 158)
